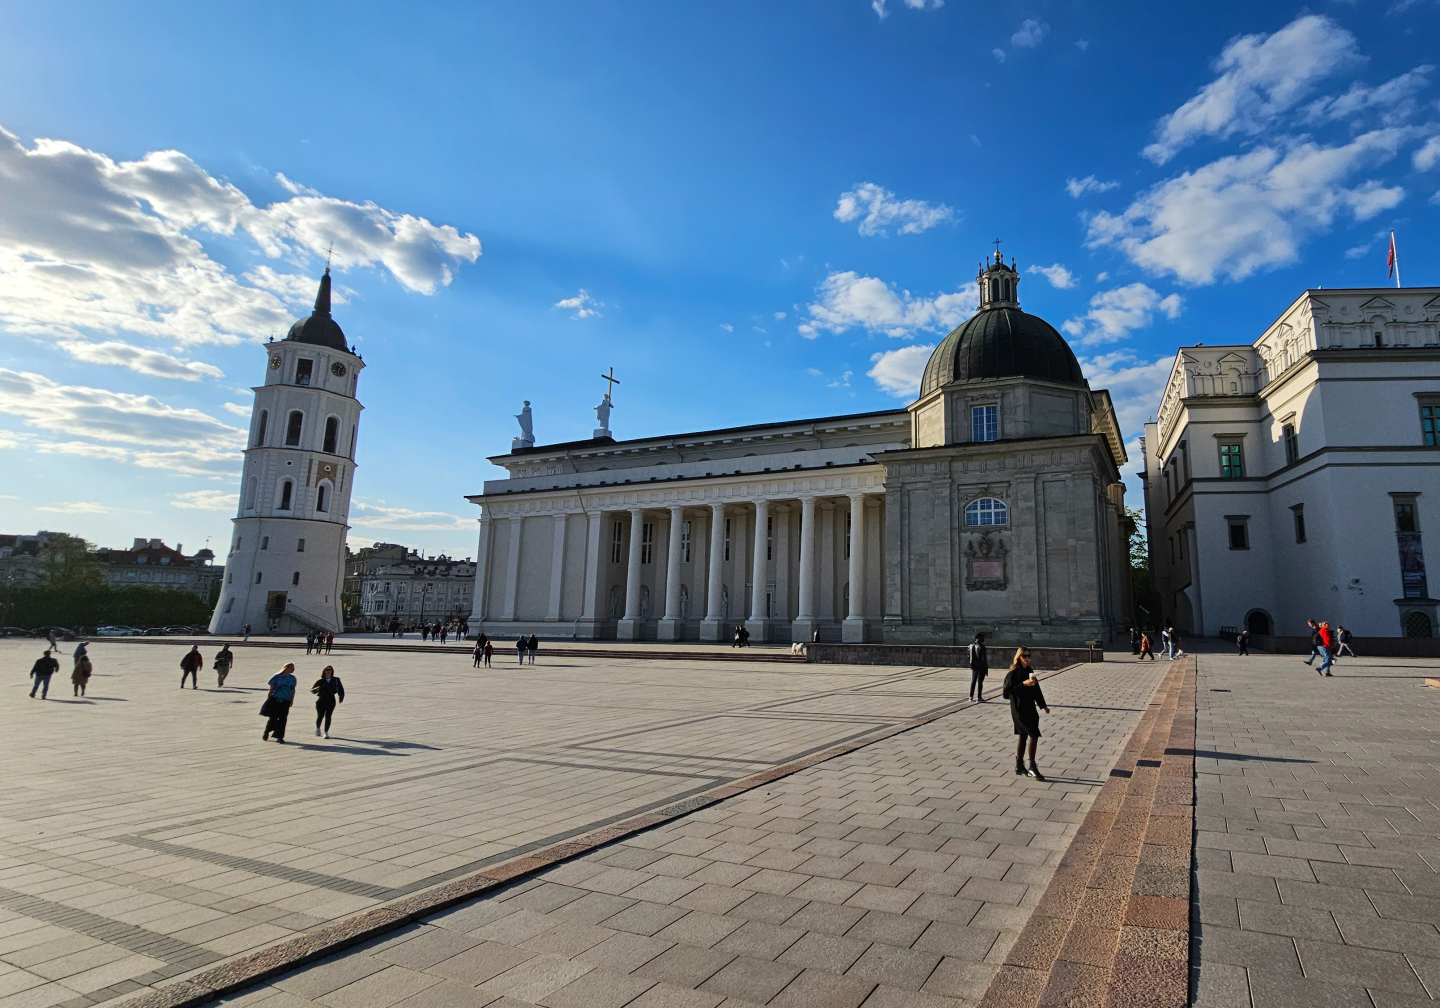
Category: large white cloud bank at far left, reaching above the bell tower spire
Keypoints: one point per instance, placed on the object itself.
(90, 244)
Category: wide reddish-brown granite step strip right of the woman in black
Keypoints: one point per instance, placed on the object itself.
(1114, 925)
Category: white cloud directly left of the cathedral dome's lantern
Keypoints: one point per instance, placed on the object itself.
(847, 300)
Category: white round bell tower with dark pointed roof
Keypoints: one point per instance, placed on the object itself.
(286, 565)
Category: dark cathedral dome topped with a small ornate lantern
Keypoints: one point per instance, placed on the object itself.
(1002, 341)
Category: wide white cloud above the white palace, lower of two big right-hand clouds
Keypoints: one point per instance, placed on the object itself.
(1249, 212)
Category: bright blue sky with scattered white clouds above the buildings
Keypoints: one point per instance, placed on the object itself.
(752, 211)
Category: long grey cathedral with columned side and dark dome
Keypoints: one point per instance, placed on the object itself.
(993, 503)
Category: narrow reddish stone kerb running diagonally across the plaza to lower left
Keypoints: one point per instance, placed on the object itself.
(254, 968)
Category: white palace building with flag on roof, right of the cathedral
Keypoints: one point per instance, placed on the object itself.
(1295, 477)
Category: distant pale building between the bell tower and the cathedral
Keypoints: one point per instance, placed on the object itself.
(392, 582)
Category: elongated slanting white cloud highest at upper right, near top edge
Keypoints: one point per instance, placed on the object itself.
(1261, 77)
